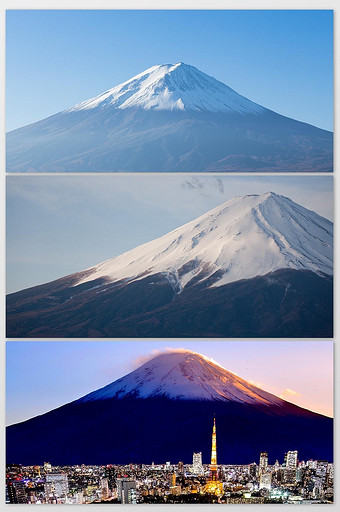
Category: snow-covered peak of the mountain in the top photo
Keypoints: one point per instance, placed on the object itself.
(172, 87)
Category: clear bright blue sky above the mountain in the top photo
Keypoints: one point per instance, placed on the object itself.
(280, 59)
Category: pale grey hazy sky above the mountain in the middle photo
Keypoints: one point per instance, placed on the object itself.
(57, 225)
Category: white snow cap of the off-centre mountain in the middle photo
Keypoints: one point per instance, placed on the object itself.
(245, 237)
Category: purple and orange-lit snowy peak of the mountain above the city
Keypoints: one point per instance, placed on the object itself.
(184, 375)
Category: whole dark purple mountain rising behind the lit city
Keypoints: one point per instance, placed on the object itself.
(163, 411)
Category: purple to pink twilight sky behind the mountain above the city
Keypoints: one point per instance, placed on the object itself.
(59, 372)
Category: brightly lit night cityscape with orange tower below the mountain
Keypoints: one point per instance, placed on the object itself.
(288, 481)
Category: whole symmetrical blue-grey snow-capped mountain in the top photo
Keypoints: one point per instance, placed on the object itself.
(169, 118)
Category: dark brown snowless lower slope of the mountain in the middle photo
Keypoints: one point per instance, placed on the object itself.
(285, 303)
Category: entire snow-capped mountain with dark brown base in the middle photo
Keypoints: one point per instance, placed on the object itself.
(258, 265)
